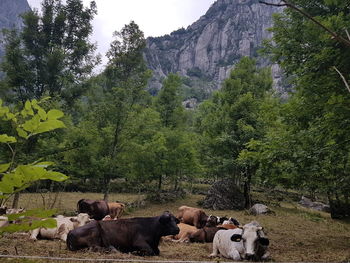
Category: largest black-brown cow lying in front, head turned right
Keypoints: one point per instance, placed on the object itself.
(140, 235)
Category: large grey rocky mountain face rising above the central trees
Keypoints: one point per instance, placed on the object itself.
(207, 50)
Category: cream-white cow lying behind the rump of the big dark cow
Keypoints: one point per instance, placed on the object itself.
(64, 225)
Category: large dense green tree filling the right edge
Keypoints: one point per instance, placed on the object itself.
(318, 113)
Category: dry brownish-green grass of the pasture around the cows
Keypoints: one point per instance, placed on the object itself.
(296, 234)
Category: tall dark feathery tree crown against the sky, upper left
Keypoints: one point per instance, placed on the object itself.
(52, 55)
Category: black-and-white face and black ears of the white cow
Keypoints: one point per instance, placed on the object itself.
(255, 244)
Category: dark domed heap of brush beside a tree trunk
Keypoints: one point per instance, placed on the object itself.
(224, 195)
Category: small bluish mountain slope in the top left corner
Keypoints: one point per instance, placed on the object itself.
(10, 11)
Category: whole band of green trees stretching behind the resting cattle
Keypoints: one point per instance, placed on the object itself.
(65, 127)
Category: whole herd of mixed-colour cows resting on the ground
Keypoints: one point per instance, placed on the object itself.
(98, 227)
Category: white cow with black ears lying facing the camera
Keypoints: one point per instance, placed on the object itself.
(238, 244)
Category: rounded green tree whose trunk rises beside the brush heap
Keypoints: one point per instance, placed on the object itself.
(230, 120)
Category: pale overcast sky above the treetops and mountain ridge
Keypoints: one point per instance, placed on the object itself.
(154, 17)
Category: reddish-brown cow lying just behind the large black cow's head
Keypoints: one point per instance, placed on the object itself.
(192, 216)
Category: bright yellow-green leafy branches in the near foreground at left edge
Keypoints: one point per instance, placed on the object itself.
(31, 121)
